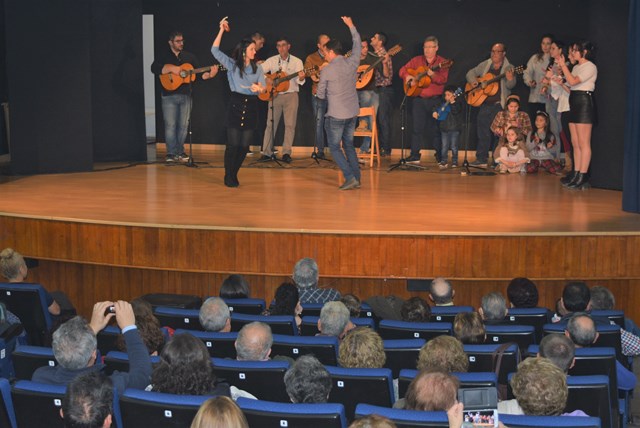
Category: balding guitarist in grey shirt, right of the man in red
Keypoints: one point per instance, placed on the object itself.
(497, 64)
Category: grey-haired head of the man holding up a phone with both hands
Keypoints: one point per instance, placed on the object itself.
(74, 343)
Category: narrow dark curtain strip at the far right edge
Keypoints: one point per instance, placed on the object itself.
(631, 176)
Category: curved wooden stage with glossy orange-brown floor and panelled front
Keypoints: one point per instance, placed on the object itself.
(169, 228)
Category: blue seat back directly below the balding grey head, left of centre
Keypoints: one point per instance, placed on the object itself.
(263, 379)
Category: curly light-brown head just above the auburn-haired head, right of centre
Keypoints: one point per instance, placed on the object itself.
(443, 353)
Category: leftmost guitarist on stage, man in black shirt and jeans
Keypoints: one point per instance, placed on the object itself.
(176, 105)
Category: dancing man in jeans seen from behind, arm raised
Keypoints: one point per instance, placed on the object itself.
(338, 86)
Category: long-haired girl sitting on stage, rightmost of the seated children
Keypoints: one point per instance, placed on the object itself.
(543, 147)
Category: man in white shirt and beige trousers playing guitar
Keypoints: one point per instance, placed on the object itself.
(284, 103)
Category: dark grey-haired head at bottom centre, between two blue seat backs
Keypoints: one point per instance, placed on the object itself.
(307, 381)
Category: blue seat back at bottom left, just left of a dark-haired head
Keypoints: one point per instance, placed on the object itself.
(45, 399)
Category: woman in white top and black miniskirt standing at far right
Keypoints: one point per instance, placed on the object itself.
(582, 115)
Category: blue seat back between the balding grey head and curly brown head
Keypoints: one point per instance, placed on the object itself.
(324, 348)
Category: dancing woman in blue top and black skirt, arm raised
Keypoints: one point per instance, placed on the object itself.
(245, 80)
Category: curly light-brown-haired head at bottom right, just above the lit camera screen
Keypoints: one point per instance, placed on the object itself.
(540, 387)
